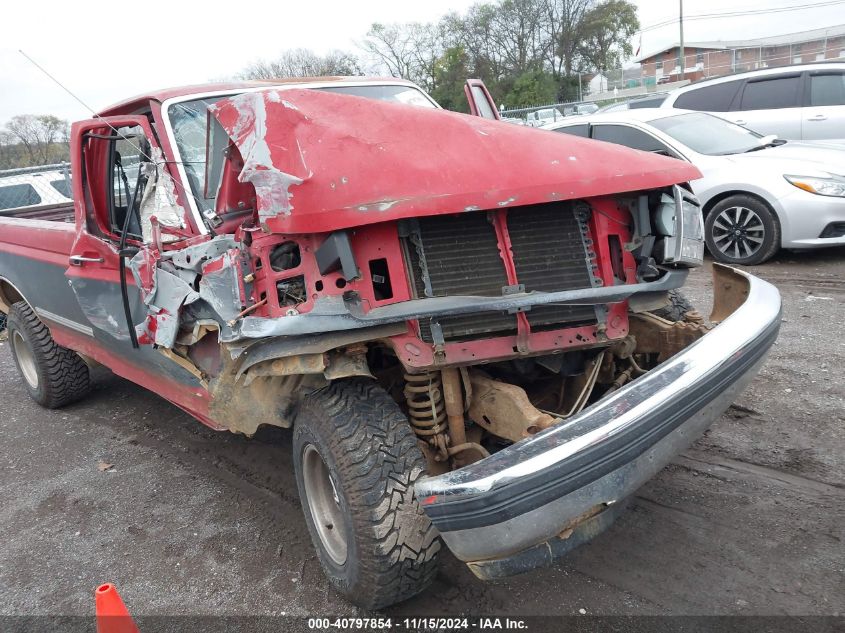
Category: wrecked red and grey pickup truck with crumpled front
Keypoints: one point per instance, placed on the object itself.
(473, 328)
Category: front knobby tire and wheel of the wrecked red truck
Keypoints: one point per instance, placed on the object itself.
(356, 460)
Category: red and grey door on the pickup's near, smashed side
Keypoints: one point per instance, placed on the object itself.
(113, 164)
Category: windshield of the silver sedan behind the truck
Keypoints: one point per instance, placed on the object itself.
(708, 134)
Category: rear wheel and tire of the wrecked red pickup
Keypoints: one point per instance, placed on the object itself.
(52, 375)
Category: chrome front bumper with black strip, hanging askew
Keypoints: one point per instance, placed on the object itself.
(540, 489)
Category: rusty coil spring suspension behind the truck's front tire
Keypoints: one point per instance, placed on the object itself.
(426, 410)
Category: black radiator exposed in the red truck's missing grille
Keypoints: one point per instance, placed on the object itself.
(459, 255)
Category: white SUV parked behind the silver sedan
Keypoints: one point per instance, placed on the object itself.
(801, 102)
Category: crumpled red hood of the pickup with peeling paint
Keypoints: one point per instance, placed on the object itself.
(321, 161)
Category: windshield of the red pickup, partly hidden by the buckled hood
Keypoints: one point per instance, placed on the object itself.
(189, 120)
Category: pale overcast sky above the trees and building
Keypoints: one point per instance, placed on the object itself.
(105, 51)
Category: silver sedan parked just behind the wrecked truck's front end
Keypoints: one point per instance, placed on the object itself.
(758, 194)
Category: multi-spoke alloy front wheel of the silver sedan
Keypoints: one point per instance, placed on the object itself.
(754, 219)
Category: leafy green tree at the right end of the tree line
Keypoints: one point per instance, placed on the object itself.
(607, 31)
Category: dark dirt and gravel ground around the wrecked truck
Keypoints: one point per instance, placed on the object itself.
(749, 521)
